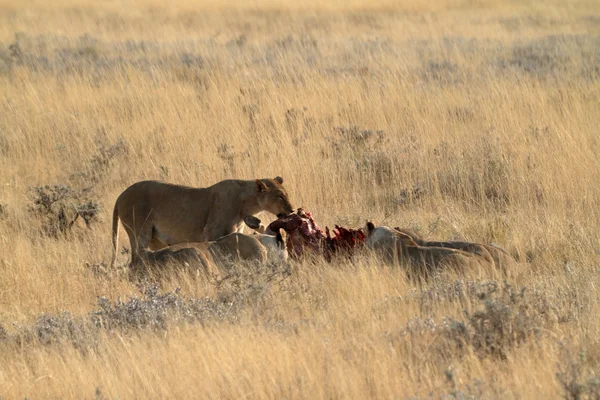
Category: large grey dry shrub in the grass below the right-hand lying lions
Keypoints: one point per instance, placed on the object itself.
(503, 318)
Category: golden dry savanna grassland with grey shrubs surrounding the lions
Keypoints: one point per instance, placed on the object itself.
(462, 119)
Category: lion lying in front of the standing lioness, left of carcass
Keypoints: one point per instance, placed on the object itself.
(212, 257)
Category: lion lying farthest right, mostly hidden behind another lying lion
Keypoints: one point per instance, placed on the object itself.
(495, 255)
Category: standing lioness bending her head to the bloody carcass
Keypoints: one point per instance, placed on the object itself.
(157, 214)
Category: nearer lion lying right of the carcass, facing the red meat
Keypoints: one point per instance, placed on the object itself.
(398, 247)
